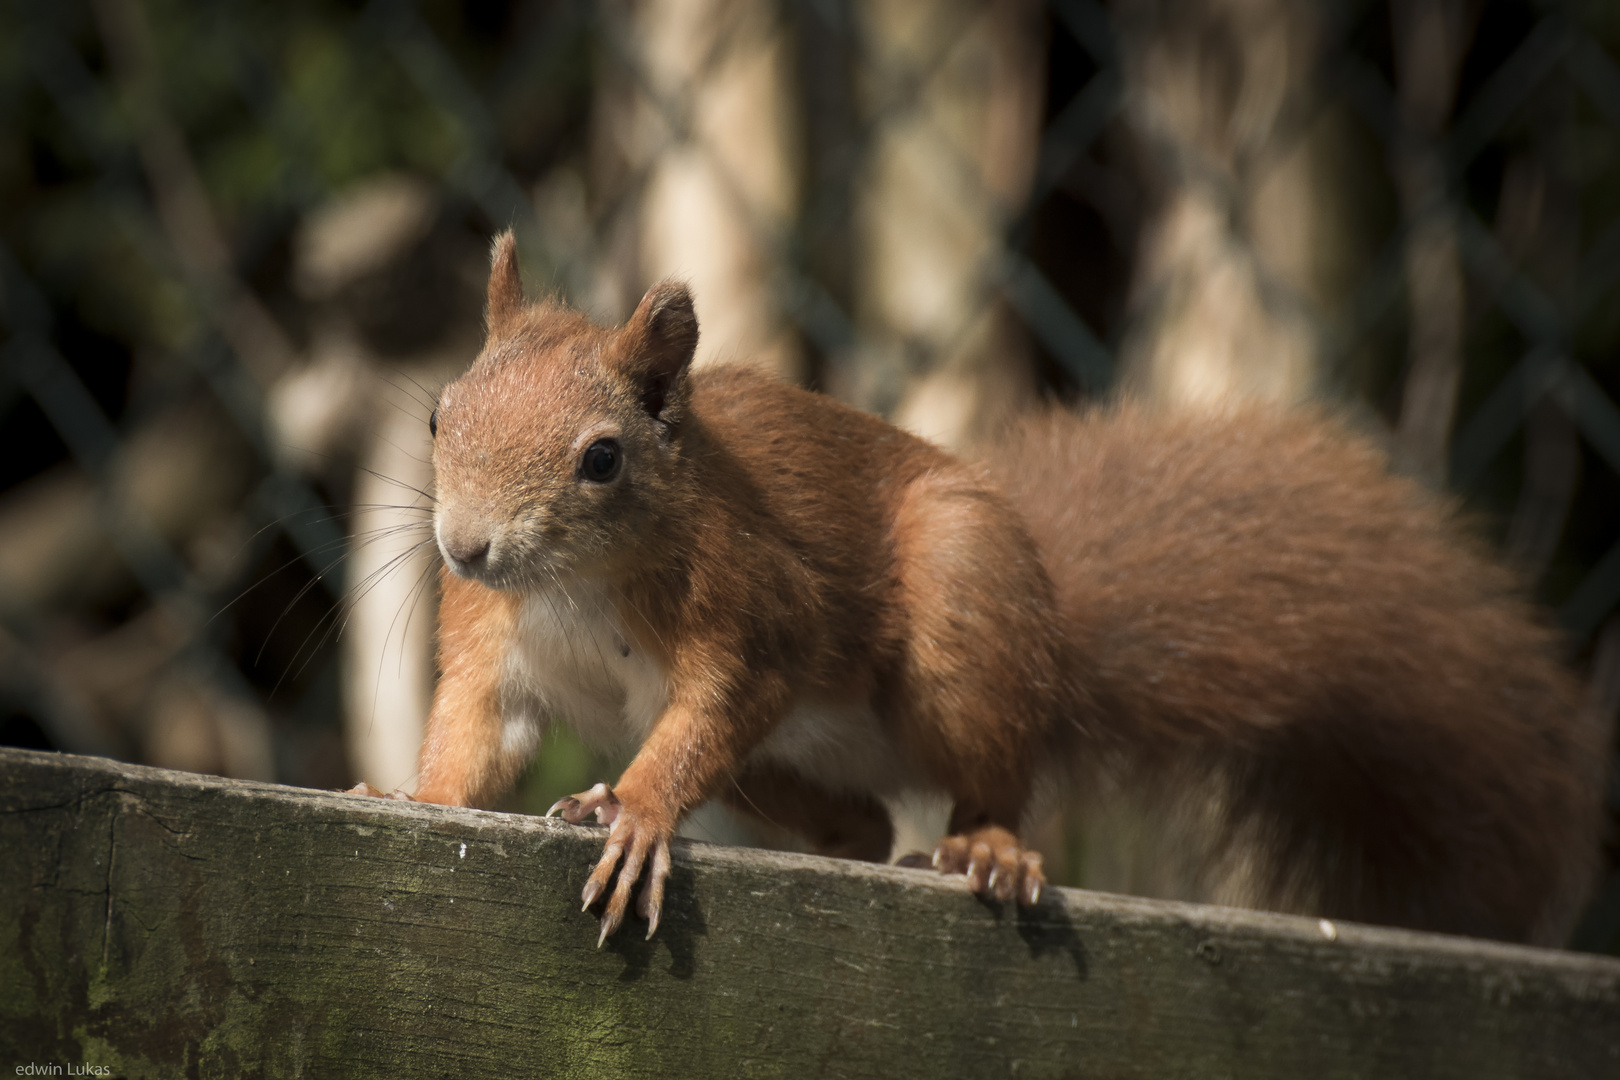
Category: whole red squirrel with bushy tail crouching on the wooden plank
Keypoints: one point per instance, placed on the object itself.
(798, 610)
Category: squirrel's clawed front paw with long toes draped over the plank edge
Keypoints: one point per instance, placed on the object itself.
(634, 838)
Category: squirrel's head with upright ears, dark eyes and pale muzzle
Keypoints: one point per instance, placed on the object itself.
(561, 446)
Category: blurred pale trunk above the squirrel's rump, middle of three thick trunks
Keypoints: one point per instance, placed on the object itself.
(952, 96)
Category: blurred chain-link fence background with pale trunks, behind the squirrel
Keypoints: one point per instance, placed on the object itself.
(241, 245)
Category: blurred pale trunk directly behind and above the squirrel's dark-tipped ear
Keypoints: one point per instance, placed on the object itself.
(697, 150)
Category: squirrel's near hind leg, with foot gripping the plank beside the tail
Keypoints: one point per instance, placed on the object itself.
(981, 682)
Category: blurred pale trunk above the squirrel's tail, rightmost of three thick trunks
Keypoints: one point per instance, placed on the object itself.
(1242, 260)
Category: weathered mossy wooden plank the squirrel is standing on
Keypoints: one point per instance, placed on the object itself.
(163, 924)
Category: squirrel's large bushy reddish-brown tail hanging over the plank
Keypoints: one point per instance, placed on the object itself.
(1376, 725)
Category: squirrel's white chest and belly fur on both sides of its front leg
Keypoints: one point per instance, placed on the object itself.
(573, 661)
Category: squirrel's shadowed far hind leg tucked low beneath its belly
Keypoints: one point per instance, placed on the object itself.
(843, 825)
